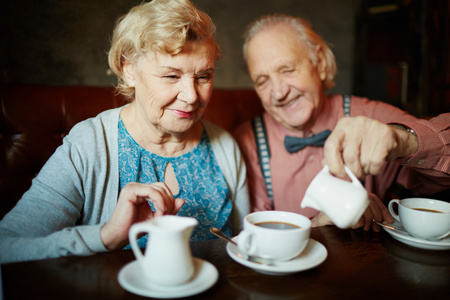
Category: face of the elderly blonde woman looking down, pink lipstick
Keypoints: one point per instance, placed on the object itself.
(172, 91)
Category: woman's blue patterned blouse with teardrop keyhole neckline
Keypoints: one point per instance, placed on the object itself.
(201, 182)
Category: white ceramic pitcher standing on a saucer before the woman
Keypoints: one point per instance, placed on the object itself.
(168, 259)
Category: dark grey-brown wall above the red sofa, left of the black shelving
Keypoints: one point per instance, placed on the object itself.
(65, 42)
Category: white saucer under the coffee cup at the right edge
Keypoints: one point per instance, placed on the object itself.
(401, 235)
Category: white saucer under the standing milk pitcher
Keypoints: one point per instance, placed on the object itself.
(131, 278)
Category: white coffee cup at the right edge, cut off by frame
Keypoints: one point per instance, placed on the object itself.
(423, 217)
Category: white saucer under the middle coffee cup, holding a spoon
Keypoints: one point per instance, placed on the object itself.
(313, 255)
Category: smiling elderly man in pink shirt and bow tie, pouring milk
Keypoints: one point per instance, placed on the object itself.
(291, 67)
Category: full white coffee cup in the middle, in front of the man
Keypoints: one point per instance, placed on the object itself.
(275, 235)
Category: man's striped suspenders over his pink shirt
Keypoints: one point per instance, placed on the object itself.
(263, 146)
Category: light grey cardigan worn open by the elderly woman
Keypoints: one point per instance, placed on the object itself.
(76, 192)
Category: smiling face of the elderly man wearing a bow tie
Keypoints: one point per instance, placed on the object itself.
(287, 82)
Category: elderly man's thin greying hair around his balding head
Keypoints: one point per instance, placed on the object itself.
(305, 33)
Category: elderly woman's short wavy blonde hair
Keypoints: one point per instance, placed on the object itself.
(159, 26)
